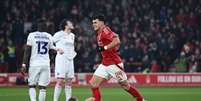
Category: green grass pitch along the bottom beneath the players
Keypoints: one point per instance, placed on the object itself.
(112, 94)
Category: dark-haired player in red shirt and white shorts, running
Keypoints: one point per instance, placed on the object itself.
(111, 66)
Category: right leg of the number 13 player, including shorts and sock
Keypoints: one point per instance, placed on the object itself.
(44, 80)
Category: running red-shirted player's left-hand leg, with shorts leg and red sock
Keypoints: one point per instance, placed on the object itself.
(99, 76)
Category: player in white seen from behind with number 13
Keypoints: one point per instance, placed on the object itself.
(37, 56)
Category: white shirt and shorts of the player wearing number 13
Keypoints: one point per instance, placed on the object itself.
(39, 71)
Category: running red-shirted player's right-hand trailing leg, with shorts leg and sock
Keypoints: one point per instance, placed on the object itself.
(121, 77)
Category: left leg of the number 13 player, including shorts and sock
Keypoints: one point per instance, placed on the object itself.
(33, 78)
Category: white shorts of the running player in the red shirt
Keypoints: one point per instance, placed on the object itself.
(111, 71)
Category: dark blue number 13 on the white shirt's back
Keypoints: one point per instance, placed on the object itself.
(42, 47)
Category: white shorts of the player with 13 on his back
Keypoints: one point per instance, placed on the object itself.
(39, 75)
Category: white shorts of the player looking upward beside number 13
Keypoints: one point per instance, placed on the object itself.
(64, 68)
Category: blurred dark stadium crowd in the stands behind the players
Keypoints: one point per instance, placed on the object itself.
(156, 35)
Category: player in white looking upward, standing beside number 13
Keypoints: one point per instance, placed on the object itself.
(64, 66)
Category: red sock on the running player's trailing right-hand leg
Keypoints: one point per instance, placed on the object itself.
(135, 93)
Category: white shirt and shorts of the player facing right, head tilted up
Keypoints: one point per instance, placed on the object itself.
(64, 66)
